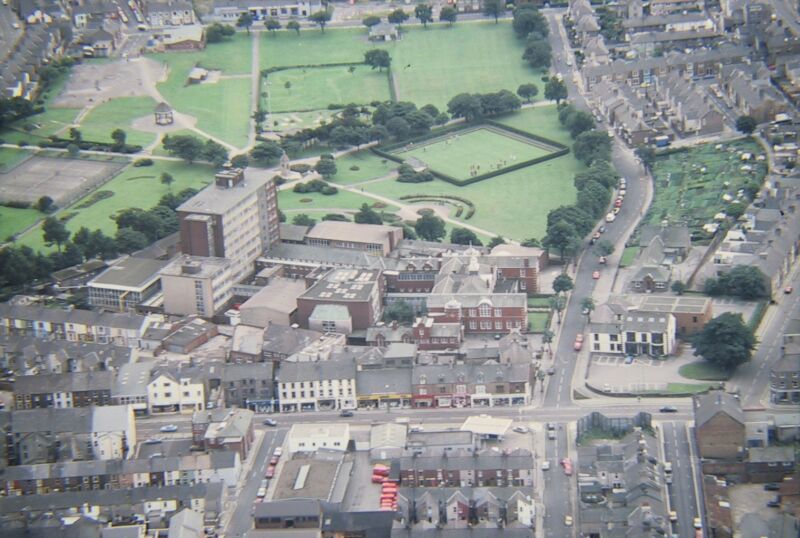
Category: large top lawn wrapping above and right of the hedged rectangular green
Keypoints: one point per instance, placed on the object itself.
(429, 65)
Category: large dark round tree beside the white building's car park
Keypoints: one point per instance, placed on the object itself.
(725, 341)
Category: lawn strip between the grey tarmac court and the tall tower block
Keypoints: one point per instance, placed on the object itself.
(133, 187)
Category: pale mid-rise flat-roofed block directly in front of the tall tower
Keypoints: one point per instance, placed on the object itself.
(195, 285)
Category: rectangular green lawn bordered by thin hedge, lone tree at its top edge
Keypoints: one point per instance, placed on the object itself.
(315, 89)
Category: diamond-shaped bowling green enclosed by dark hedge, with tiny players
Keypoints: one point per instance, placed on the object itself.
(469, 153)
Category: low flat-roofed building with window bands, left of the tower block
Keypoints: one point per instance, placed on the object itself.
(126, 284)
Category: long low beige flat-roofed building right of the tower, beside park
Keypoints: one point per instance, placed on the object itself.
(374, 238)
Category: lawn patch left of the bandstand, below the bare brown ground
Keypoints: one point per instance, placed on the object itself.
(118, 113)
